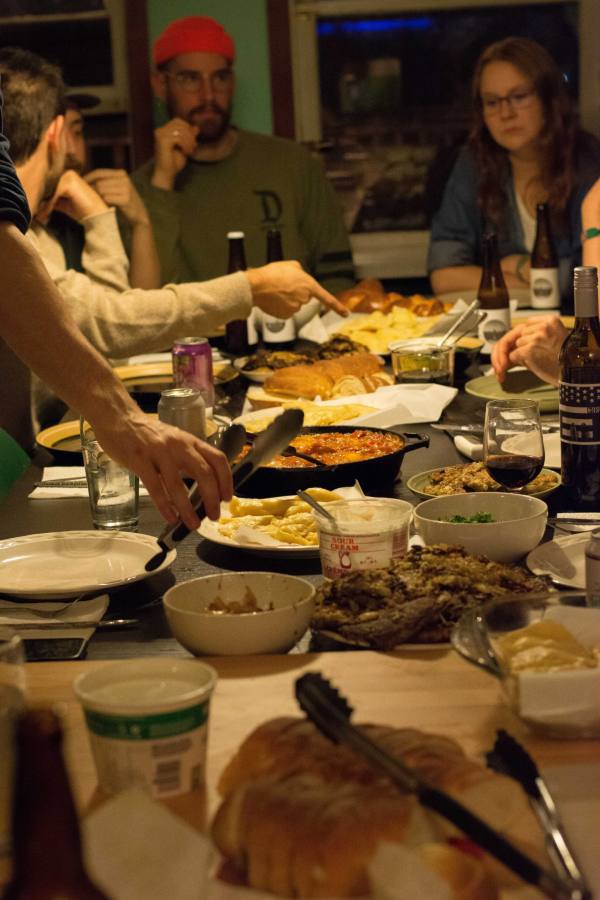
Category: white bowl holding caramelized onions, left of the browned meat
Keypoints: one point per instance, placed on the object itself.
(287, 603)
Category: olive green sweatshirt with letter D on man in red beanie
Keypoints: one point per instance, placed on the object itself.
(266, 182)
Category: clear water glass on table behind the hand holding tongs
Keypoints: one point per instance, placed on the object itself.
(113, 490)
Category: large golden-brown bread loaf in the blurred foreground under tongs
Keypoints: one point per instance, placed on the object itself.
(303, 817)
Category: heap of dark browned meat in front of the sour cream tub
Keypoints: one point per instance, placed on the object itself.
(418, 599)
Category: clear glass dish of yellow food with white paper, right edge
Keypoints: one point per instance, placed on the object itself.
(545, 649)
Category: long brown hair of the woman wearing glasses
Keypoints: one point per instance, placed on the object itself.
(557, 140)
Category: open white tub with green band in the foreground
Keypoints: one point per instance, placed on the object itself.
(148, 723)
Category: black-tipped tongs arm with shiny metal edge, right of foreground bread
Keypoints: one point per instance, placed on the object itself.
(510, 758)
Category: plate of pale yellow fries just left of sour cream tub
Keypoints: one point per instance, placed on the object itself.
(273, 525)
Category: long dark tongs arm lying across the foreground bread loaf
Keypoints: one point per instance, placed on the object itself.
(331, 713)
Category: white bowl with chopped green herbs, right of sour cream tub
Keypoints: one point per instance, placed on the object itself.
(518, 526)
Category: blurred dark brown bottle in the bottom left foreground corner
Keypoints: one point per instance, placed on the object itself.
(47, 856)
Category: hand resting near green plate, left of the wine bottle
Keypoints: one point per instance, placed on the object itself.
(535, 344)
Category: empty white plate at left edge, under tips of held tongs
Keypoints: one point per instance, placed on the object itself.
(68, 563)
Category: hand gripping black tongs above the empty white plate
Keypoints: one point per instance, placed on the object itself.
(162, 456)
